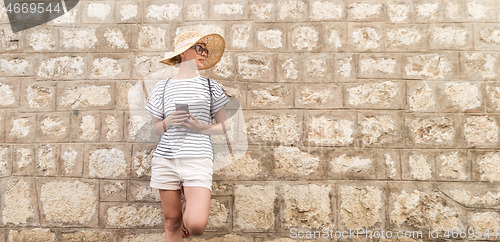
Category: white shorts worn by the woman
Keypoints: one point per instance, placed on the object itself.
(168, 174)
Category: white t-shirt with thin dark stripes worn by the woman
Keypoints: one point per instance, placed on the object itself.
(177, 141)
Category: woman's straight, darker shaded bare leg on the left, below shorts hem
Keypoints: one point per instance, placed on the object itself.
(172, 214)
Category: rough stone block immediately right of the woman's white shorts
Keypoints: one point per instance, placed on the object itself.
(240, 165)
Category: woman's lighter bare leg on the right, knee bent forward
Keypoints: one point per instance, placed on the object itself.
(195, 216)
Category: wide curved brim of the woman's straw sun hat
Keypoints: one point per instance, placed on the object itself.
(214, 43)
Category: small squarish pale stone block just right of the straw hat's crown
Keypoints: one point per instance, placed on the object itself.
(242, 35)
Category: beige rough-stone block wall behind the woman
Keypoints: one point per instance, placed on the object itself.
(381, 115)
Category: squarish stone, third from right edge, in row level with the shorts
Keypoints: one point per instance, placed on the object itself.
(418, 165)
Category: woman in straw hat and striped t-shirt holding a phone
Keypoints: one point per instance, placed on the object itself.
(182, 161)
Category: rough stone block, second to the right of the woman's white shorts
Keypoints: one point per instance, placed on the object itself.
(291, 162)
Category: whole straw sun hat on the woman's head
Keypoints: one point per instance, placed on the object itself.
(214, 43)
